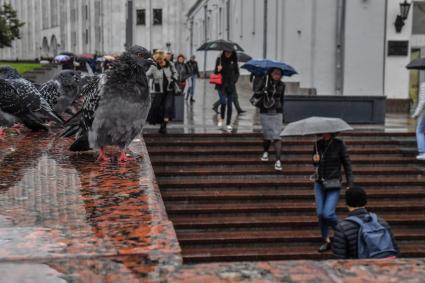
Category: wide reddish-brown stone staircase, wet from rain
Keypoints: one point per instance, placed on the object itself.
(227, 205)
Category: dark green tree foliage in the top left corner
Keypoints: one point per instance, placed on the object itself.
(9, 25)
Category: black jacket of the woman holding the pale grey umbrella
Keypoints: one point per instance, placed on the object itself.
(333, 154)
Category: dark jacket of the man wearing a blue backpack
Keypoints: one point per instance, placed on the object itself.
(344, 245)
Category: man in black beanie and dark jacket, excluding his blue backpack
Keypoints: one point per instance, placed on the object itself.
(345, 243)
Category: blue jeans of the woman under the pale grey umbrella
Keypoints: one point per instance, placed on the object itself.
(326, 203)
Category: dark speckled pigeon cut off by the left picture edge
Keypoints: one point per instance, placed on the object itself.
(20, 99)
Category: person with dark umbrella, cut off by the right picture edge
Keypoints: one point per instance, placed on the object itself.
(419, 113)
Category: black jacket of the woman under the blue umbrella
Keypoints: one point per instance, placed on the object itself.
(265, 86)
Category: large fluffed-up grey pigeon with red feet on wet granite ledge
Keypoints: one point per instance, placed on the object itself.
(115, 110)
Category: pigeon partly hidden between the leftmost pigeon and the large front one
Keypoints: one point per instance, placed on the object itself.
(62, 90)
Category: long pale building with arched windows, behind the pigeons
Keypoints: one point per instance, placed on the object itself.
(97, 26)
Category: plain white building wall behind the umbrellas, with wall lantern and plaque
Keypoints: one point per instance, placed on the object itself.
(339, 47)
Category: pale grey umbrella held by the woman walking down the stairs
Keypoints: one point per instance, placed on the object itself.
(315, 126)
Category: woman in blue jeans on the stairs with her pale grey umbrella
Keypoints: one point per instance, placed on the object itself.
(329, 155)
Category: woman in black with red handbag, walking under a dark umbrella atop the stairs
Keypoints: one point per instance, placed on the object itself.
(227, 66)
